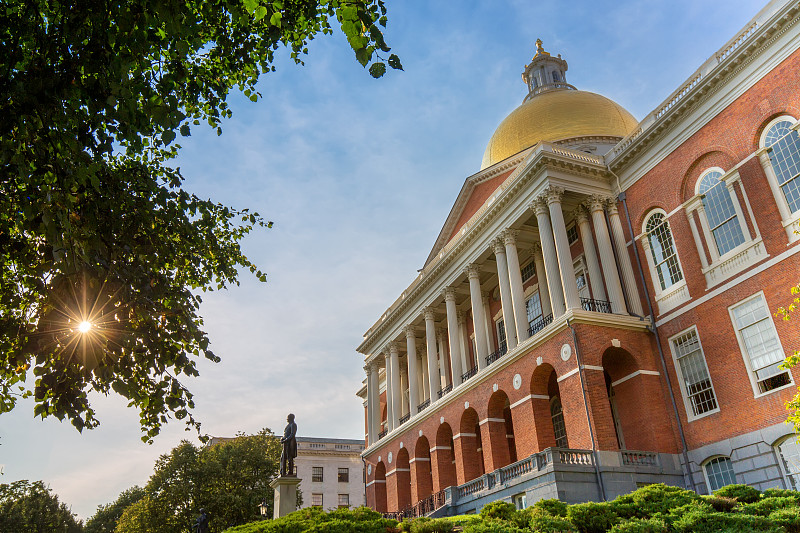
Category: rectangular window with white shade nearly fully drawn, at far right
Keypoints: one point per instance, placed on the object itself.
(760, 344)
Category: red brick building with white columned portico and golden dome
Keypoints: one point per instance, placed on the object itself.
(597, 311)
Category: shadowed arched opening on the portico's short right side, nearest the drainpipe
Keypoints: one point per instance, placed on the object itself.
(635, 407)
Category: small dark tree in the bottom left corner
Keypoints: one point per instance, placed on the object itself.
(31, 507)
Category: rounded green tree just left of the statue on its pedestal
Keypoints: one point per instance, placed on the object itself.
(229, 480)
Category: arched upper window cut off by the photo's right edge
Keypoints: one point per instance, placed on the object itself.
(784, 154)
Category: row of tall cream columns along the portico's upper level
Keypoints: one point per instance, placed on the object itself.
(444, 364)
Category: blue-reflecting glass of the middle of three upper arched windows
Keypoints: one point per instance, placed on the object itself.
(720, 212)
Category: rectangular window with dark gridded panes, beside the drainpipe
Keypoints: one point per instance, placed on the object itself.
(693, 373)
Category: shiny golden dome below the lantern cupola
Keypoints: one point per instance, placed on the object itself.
(557, 115)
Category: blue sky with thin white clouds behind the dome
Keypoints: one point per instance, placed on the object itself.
(358, 175)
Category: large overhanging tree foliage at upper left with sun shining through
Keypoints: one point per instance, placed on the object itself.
(95, 225)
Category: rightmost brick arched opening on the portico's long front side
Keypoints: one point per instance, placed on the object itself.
(548, 413)
